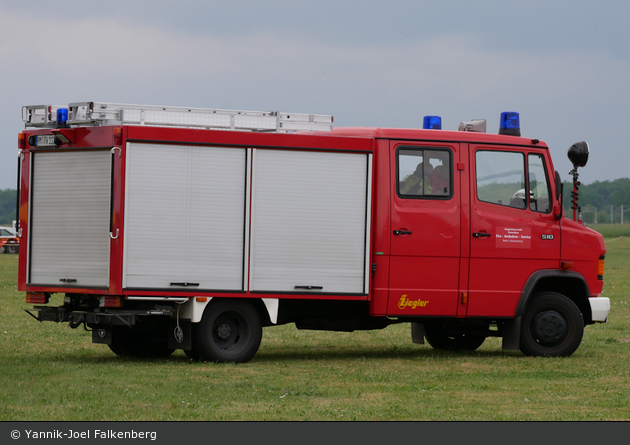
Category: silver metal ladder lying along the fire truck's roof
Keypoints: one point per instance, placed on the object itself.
(99, 114)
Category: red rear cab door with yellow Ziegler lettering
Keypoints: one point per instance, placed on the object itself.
(425, 223)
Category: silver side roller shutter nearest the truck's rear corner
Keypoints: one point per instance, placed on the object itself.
(184, 217)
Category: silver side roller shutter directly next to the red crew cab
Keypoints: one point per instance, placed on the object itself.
(309, 221)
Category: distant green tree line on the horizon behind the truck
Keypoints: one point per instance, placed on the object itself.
(595, 199)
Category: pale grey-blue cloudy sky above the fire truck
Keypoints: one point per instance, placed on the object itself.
(564, 66)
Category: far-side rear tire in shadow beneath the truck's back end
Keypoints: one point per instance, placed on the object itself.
(139, 344)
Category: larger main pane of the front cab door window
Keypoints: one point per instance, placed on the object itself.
(501, 178)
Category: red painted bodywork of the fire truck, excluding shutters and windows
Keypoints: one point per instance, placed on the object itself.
(437, 270)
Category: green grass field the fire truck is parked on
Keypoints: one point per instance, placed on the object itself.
(51, 372)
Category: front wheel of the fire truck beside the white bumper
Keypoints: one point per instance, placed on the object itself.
(551, 327)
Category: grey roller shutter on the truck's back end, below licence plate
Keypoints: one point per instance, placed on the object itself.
(70, 208)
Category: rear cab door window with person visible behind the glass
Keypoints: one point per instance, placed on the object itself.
(424, 173)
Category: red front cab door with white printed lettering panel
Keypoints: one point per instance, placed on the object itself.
(513, 229)
